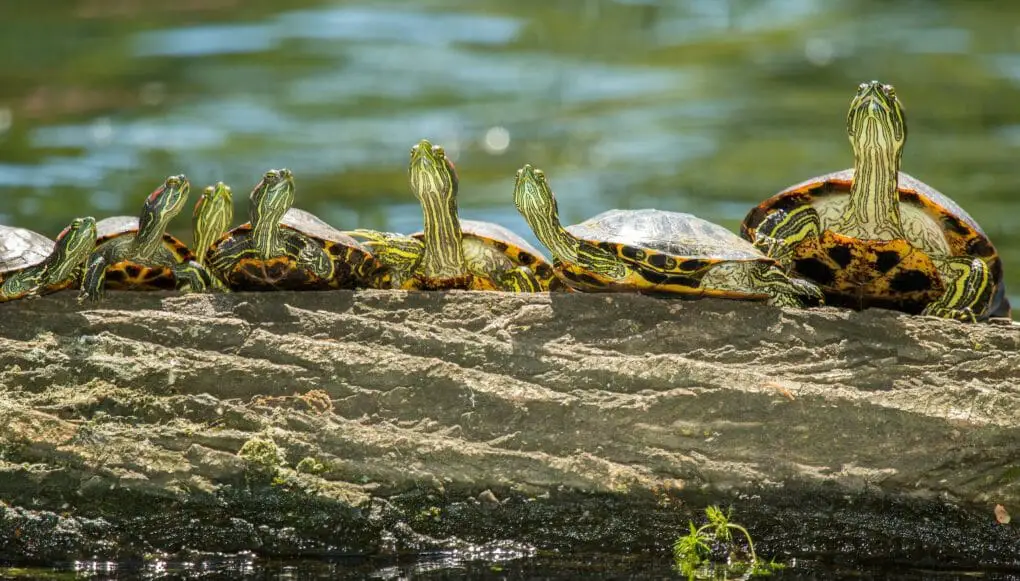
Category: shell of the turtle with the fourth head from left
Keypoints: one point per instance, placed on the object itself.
(354, 267)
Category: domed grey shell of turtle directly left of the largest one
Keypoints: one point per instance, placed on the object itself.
(668, 252)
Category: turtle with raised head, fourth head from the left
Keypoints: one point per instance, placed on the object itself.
(288, 249)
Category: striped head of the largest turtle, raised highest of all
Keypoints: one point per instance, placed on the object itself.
(877, 120)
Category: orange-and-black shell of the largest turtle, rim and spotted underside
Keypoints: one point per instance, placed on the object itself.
(893, 275)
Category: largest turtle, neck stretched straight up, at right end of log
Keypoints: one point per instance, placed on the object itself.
(875, 237)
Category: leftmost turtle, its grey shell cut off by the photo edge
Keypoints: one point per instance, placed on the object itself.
(32, 266)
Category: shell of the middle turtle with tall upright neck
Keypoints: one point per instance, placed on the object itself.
(517, 249)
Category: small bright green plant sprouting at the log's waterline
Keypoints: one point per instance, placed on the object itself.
(693, 552)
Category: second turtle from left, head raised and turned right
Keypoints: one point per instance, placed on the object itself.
(138, 254)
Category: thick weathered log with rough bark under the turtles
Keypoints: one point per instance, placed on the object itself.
(389, 421)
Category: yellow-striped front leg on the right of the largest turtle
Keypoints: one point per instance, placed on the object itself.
(968, 290)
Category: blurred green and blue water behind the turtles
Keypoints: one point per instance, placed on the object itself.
(705, 108)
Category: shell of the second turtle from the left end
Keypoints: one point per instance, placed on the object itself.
(130, 275)
